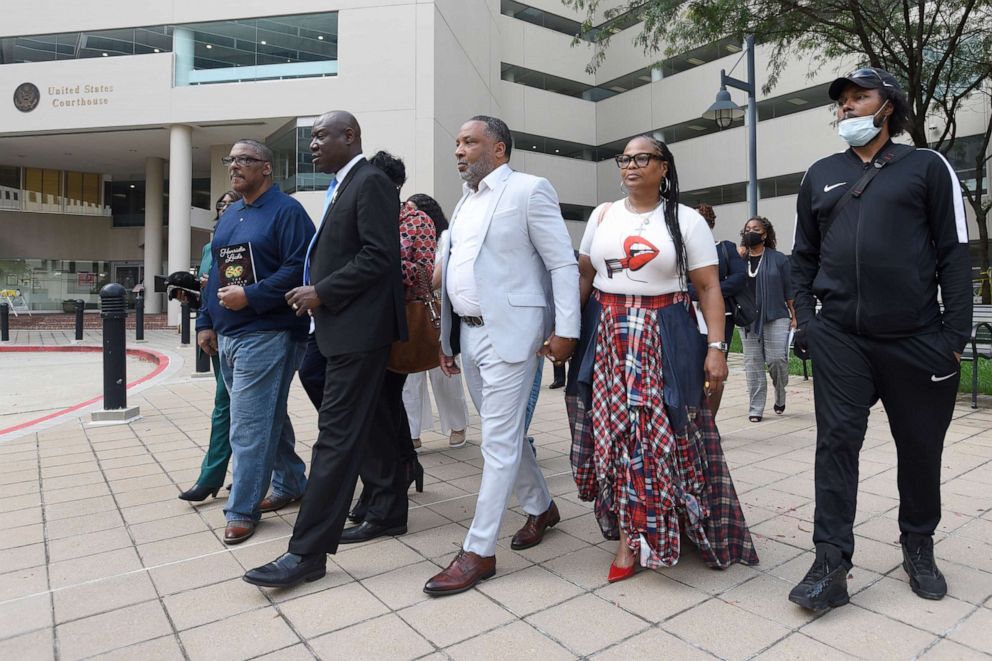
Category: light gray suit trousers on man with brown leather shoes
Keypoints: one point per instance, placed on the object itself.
(500, 391)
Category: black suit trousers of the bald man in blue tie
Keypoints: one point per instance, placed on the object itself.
(352, 388)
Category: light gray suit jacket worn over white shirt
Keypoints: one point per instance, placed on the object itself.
(526, 274)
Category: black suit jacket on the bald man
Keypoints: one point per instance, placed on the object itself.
(355, 266)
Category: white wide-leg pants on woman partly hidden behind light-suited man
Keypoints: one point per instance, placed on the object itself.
(449, 395)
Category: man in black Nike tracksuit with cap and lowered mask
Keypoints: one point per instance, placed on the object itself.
(874, 257)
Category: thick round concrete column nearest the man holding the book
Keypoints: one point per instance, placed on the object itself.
(180, 203)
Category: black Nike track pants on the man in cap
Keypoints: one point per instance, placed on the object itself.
(916, 379)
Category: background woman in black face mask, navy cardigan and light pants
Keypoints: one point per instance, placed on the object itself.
(766, 340)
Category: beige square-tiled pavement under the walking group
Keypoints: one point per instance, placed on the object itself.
(98, 558)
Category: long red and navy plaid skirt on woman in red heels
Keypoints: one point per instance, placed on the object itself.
(644, 477)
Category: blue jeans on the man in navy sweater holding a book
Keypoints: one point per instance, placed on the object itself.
(258, 369)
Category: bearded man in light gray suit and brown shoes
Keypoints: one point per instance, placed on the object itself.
(509, 297)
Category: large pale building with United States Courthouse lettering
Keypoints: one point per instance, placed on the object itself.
(114, 116)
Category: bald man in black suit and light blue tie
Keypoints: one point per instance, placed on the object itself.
(356, 299)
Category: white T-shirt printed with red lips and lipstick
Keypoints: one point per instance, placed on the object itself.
(634, 257)
